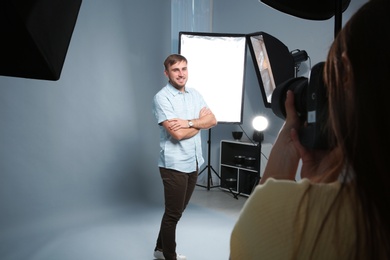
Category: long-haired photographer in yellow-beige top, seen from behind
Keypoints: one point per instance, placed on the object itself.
(339, 210)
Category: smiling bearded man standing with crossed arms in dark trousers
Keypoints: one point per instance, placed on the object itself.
(181, 113)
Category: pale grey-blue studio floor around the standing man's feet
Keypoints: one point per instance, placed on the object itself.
(203, 233)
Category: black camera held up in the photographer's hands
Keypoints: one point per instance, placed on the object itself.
(311, 104)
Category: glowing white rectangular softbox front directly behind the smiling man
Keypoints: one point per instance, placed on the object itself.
(221, 83)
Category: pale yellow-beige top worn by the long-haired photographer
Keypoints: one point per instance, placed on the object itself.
(284, 220)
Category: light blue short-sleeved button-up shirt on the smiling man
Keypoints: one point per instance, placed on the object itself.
(170, 103)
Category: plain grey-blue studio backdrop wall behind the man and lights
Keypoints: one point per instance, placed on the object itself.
(89, 141)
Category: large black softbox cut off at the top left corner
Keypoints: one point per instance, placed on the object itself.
(35, 36)
